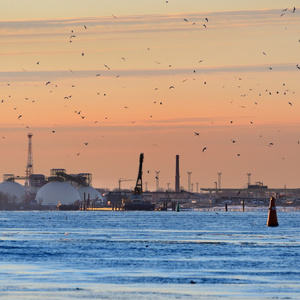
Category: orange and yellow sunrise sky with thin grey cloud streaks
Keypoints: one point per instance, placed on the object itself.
(158, 77)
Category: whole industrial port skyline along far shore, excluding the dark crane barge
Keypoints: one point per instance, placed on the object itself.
(60, 188)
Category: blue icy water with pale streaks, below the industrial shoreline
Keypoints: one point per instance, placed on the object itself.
(149, 255)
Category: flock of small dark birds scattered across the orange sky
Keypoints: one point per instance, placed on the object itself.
(205, 24)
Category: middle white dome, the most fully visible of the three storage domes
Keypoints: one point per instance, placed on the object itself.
(54, 192)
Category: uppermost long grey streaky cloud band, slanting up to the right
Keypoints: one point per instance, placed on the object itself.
(145, 23)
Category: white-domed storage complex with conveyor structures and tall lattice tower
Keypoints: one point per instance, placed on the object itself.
(46, 191)
